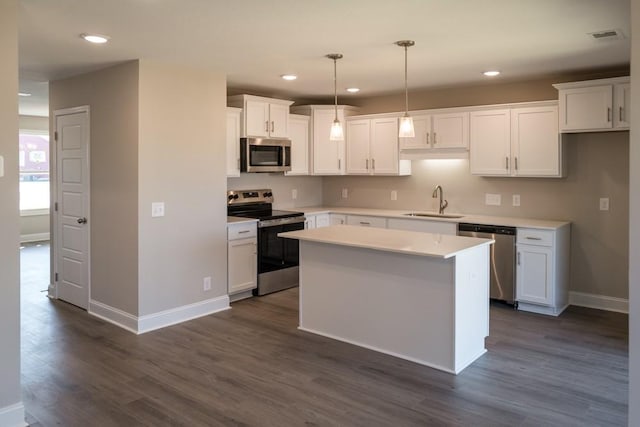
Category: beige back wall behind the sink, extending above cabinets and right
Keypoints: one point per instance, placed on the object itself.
(597, 167)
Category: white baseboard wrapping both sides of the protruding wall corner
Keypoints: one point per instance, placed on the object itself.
(151, 322)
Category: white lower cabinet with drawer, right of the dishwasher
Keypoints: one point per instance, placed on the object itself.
(542, 263)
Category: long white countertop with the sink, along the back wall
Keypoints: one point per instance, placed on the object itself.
(471, 218)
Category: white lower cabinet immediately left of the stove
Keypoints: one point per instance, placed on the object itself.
(242, 259)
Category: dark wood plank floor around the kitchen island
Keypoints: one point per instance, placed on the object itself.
(251, 366)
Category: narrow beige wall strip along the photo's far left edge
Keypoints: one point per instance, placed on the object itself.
(10, 393)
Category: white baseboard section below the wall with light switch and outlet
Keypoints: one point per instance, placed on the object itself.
(172, 316)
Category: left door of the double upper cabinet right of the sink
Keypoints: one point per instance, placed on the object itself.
(490, 142)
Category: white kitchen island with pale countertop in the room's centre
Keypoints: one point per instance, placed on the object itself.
(418, 296)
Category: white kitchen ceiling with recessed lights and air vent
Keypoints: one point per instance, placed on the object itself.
(255, 41)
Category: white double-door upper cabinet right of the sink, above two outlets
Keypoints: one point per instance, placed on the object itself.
(520, 141)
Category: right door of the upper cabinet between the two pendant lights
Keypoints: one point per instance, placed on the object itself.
(384, 146)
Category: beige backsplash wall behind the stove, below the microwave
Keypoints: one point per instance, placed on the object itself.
(309, 188)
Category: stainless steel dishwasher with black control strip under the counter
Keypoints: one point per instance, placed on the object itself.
(502, 259)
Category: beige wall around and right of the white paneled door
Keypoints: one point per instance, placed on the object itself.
(112, 95)
